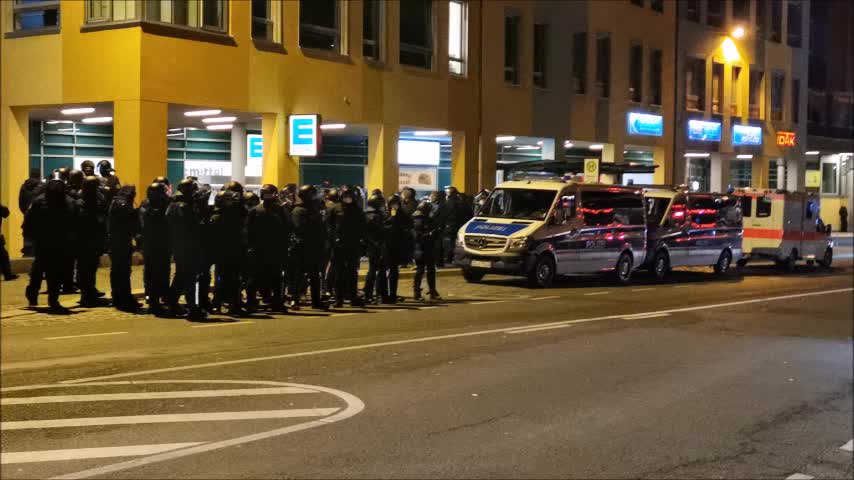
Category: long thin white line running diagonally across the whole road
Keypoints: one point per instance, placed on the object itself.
(441, 337)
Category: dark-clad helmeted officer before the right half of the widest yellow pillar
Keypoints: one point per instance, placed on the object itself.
(156, 249)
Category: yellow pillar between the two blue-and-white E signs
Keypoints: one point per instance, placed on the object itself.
(279, 168)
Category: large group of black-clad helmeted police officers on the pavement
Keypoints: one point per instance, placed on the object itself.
(271, 248)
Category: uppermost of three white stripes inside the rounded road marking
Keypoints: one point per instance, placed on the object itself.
(109, 397)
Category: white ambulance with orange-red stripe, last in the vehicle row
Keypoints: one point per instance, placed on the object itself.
(785, 227)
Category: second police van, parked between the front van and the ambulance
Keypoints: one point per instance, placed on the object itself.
(687, 229)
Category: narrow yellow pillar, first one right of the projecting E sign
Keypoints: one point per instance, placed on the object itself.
(383, 170)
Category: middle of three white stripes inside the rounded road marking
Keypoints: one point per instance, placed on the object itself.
(167, 418)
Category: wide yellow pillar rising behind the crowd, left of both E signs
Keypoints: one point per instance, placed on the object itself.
(139, 142)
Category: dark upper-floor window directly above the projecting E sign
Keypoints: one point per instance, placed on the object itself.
(320, 25)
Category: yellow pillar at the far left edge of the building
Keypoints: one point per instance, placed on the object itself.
(14, 169)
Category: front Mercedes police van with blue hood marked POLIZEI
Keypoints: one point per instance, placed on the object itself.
(540, 229)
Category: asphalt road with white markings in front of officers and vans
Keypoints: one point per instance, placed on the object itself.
(749, 376)
